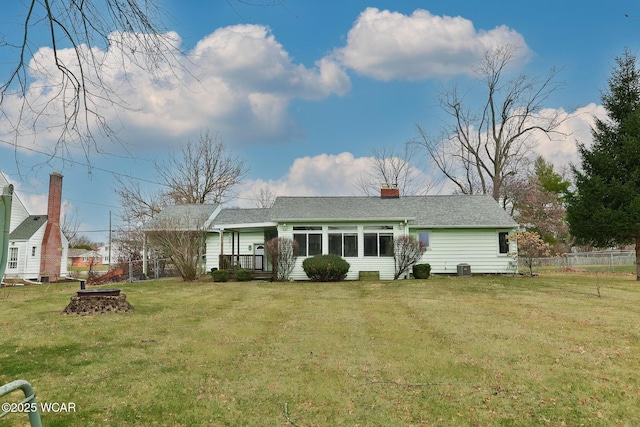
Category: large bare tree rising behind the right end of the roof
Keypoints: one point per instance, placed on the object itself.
(484, 147)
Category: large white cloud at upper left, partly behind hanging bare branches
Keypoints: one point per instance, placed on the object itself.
(238, 81)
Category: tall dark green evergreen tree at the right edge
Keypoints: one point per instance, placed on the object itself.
(605, 208)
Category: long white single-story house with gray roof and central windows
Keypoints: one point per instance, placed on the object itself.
(457, 229)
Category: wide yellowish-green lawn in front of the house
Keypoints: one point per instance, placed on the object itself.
(477, 351)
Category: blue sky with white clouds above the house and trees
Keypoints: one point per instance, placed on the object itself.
(304, 90)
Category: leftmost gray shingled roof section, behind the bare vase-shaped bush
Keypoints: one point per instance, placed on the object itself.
(181, 217)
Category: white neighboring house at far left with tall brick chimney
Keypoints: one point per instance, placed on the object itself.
(27, 242)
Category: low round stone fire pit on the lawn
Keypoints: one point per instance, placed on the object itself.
(97, 301)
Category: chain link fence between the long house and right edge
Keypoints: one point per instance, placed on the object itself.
(603, 261)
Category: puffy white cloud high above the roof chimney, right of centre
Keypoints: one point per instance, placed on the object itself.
(389, 45)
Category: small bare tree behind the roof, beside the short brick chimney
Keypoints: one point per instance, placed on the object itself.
(392, 166)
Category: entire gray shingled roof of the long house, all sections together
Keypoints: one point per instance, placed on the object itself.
(454, 211)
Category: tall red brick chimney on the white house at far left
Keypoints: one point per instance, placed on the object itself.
(51, 255)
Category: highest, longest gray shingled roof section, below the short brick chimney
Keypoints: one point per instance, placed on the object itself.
(456, 211)
